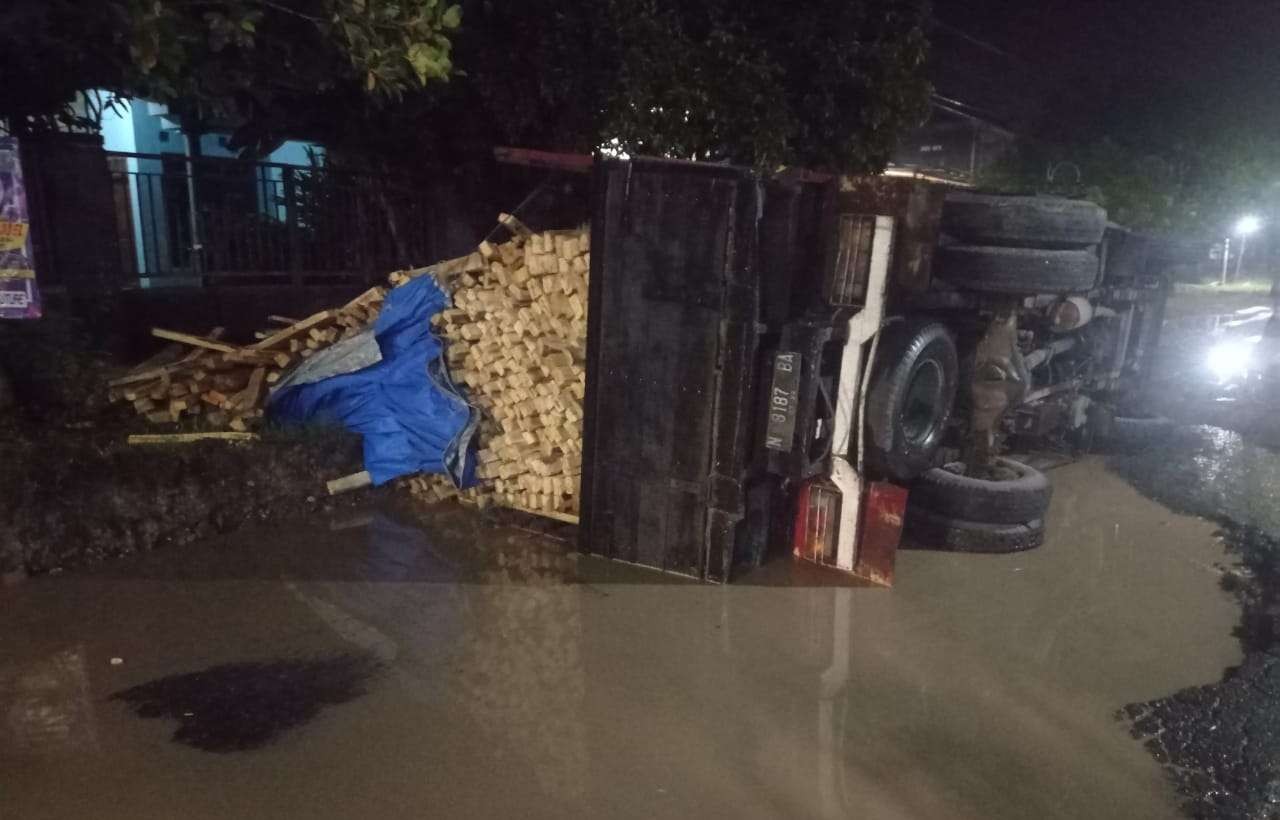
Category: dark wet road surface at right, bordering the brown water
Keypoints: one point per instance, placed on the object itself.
(1223, 741)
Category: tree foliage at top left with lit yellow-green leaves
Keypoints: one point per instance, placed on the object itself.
(221, 61)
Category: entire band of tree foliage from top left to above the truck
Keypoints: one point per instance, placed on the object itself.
(820, 84)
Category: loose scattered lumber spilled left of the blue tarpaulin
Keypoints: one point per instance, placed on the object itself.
(218, 384)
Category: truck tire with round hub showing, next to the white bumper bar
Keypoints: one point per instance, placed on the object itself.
(913, 390)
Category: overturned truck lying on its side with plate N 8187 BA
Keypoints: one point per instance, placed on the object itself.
(803, 363)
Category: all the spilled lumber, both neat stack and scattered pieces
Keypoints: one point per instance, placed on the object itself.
(515, 340)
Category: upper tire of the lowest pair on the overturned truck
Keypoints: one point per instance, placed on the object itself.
(1018, 496)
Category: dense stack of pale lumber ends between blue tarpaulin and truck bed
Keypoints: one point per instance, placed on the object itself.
(516, 340)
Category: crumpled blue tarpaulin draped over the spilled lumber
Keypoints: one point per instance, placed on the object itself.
(412, 416)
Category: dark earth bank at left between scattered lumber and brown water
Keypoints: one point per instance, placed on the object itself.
(72, 491)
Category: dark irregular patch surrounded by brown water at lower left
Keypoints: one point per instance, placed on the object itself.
(248, 706)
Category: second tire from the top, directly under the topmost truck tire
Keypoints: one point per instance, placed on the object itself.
(1021, 272)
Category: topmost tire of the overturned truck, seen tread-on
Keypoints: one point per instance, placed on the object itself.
(1023, 222)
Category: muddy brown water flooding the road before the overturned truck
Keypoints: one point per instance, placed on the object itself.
(515, 679)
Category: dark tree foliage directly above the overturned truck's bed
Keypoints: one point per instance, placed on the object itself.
(826, 84)
